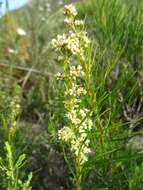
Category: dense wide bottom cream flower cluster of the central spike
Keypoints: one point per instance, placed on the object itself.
(78, 134)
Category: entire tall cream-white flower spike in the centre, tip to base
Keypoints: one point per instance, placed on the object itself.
(79, 117)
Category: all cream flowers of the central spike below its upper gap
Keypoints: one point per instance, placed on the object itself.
(79, 118)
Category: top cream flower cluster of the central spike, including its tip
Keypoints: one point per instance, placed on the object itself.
(76, 41)
